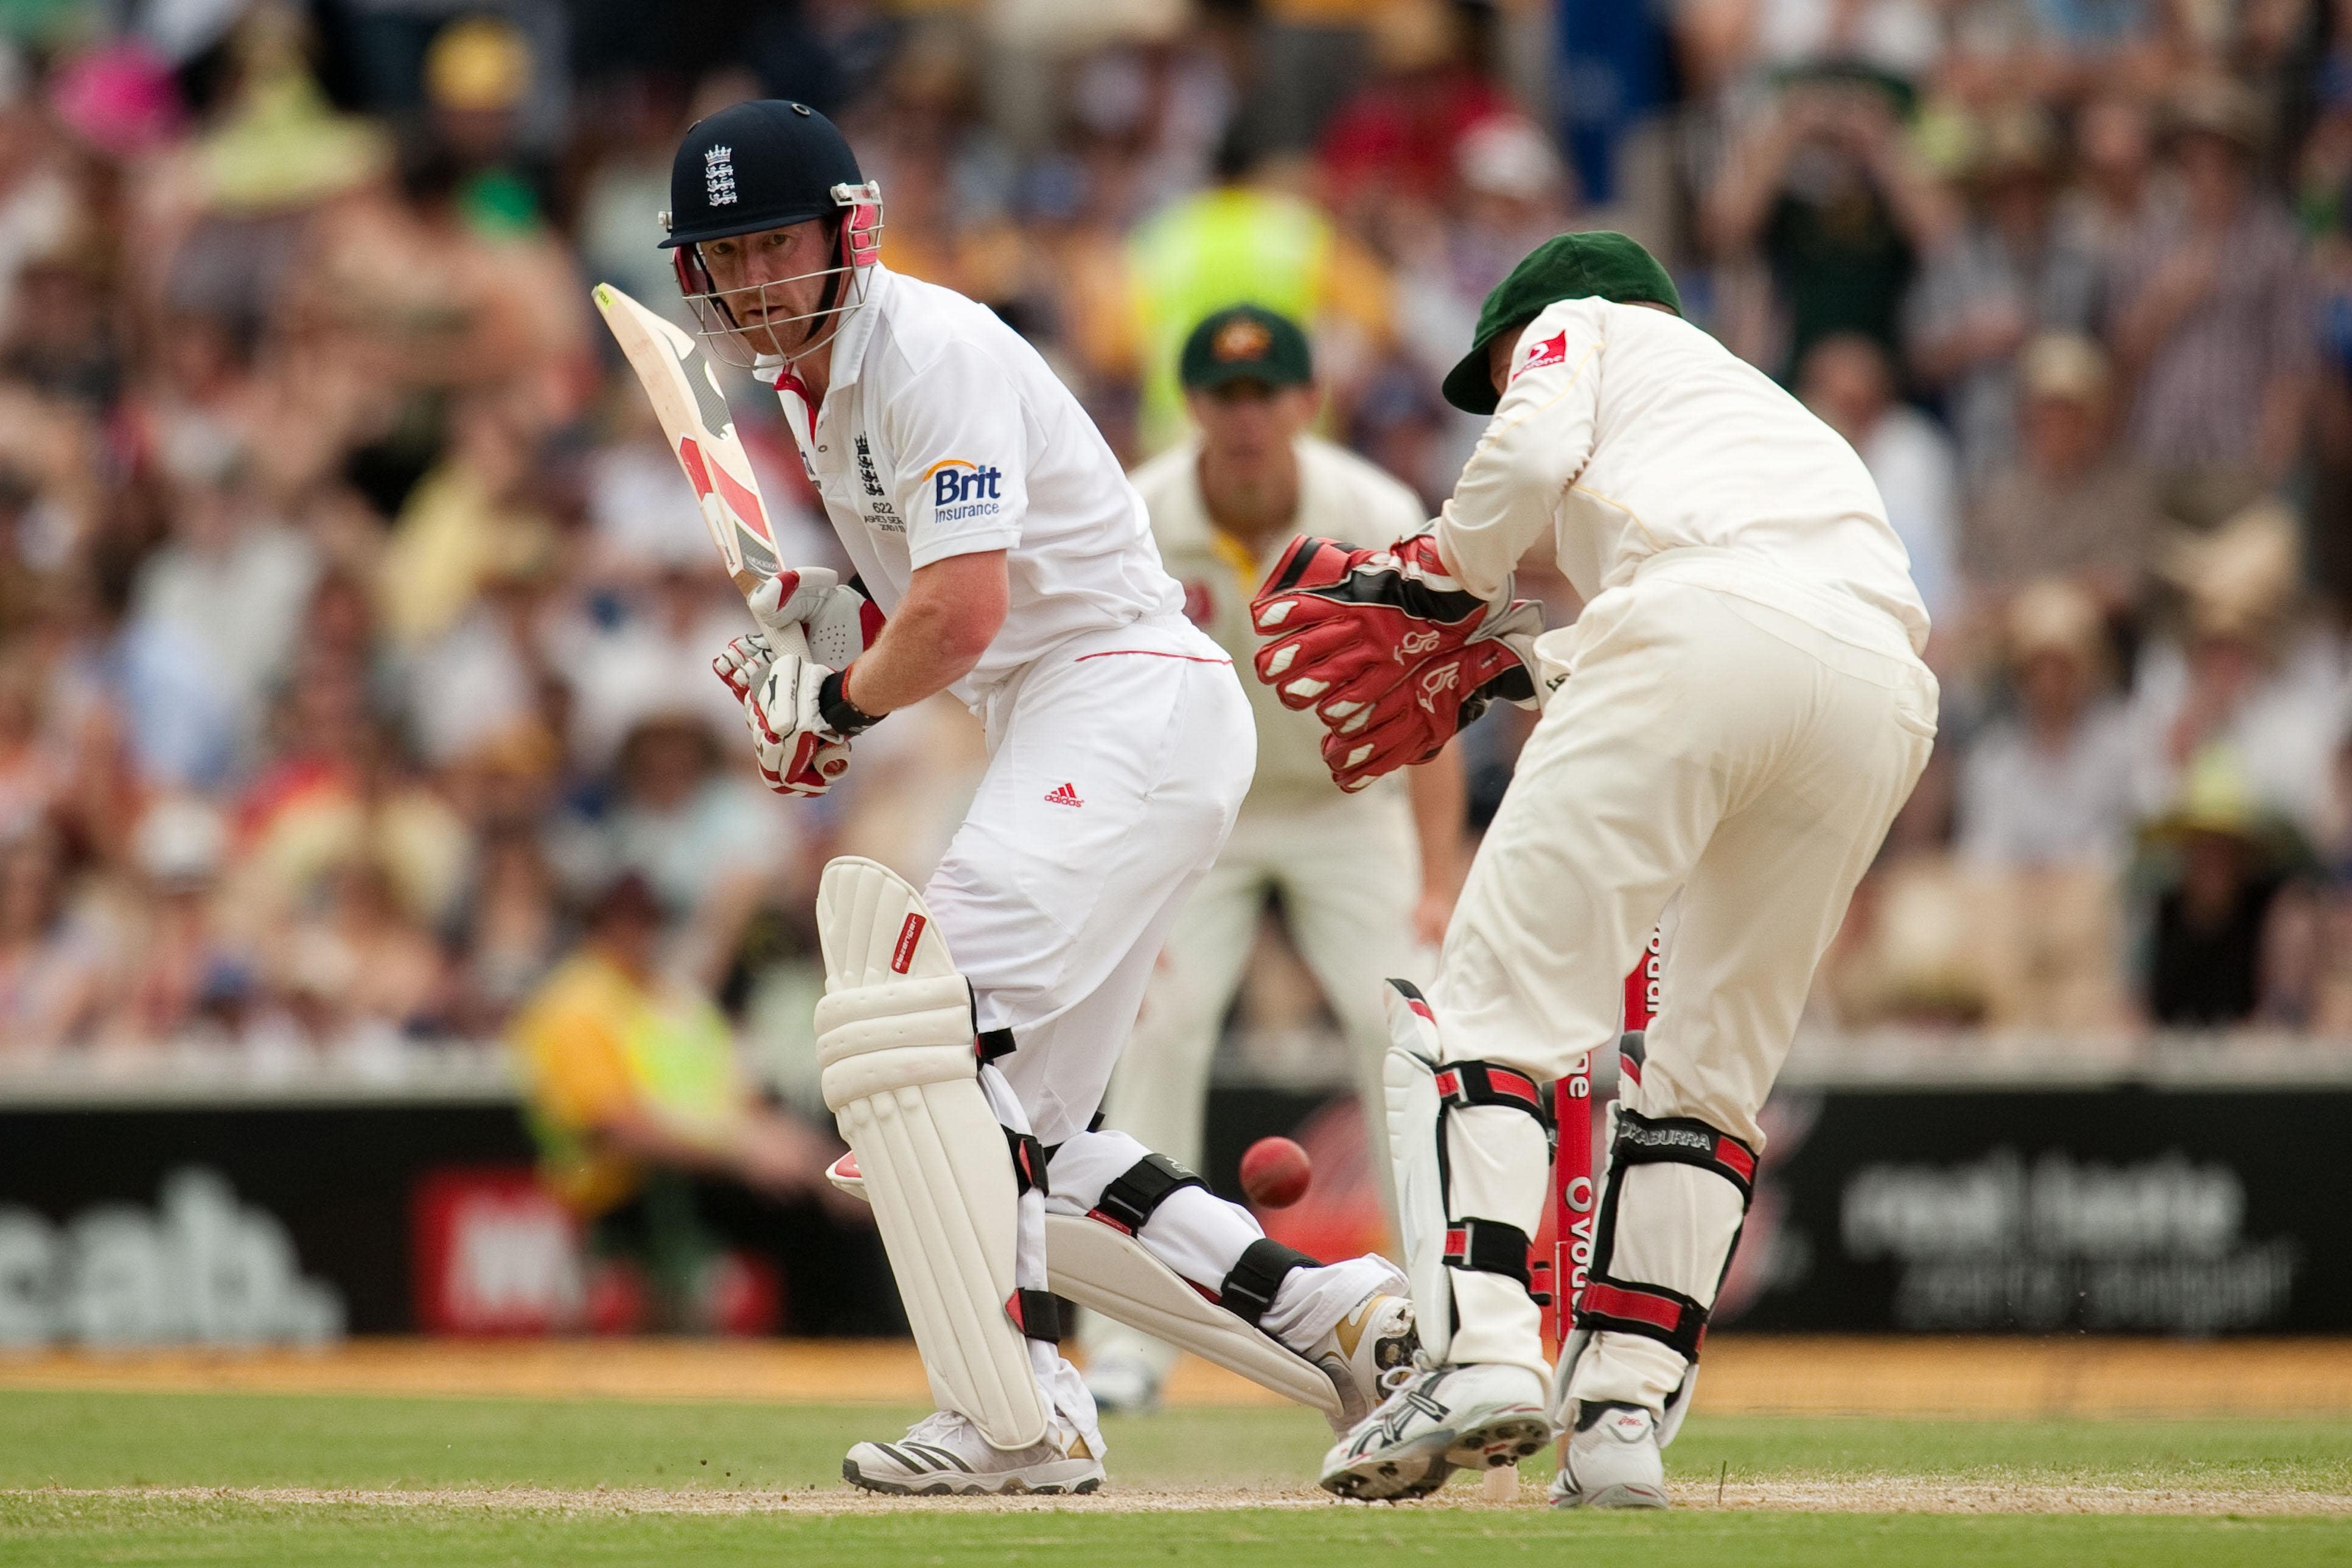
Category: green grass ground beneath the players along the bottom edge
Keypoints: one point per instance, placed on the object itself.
(100, 1477)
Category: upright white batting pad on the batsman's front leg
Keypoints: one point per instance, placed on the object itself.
(900, 1076)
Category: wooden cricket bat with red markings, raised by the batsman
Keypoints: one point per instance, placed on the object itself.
(695, 417)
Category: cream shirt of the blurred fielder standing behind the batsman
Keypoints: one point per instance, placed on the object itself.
(1339, 497)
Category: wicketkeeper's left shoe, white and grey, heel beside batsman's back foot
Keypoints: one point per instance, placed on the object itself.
(1438, 1421)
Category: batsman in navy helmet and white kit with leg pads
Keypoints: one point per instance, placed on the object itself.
(968, 1031)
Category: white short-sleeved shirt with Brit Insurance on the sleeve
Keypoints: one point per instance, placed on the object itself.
(944, 434)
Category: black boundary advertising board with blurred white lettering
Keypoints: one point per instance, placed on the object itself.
(2189, 1207)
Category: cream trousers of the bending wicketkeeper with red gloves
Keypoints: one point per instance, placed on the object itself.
(1737, 737)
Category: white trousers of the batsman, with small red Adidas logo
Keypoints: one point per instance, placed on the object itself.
(1116, 768)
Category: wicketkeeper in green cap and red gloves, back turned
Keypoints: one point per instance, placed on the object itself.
(1737, 716)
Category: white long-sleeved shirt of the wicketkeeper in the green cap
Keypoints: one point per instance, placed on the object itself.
(1629, 434)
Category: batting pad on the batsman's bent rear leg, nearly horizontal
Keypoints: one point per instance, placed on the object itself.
(1111, 1273)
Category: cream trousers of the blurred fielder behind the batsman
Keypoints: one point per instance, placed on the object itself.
(1349, 873)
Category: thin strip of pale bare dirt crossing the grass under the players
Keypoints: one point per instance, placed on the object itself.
(1808, 1496)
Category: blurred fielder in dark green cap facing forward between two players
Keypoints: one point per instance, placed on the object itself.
(1365, 880)
